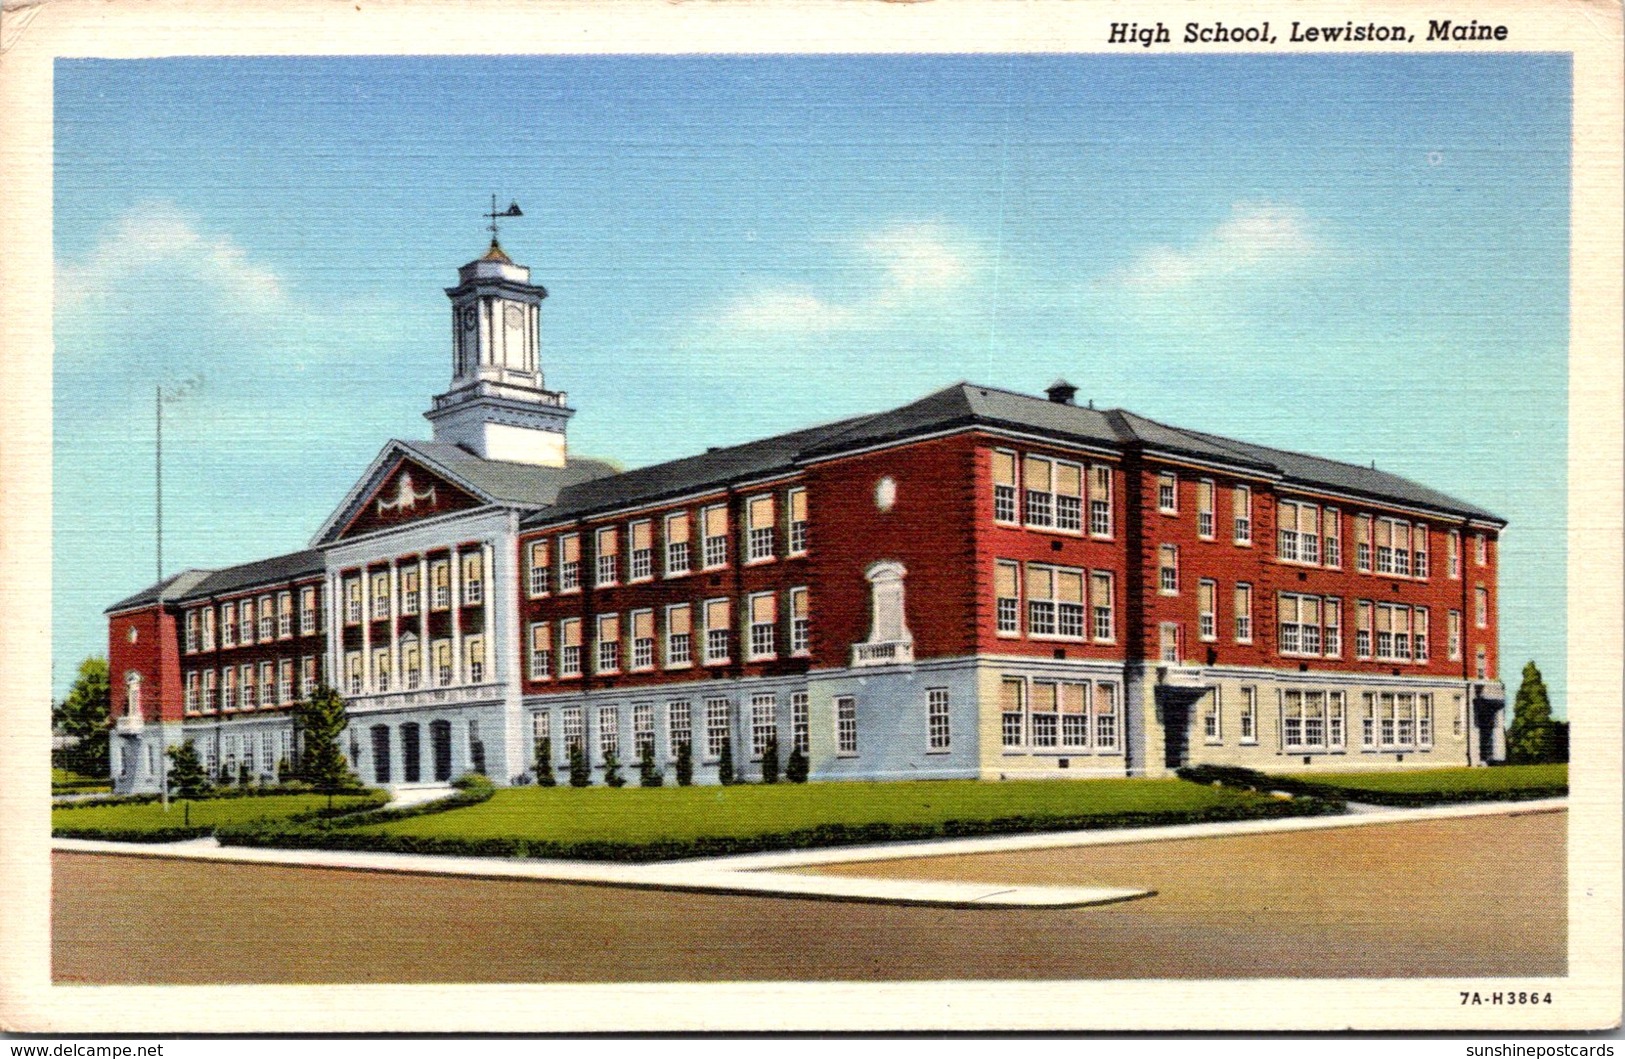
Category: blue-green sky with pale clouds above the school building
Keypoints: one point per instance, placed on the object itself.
(1364, 257)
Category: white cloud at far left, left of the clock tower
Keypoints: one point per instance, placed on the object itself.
(158, 238)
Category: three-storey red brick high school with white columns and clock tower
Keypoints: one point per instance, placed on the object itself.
(977, 584)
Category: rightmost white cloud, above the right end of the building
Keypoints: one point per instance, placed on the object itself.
(1255, 236)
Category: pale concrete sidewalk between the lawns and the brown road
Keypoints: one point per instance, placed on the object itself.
(765, 873)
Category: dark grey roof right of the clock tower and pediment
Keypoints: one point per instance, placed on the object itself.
(964, 405)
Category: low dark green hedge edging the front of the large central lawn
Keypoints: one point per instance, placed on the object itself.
(342, 834)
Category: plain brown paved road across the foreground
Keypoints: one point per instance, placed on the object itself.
(1468, 897)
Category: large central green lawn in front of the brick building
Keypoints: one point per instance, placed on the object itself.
(678, 815)
